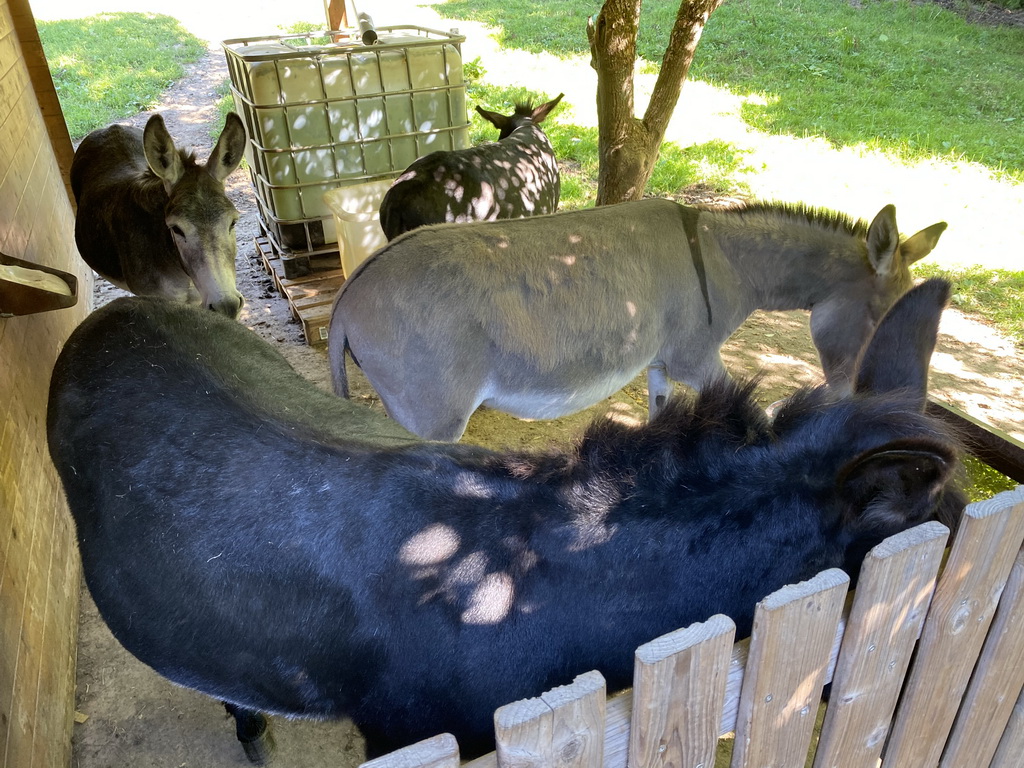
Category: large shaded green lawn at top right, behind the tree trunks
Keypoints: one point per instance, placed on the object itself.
(912, 79)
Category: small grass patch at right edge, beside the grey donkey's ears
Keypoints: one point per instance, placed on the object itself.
(996, 296)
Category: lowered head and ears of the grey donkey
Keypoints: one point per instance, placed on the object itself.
(842, 324)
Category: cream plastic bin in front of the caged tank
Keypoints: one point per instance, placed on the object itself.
(357, 217)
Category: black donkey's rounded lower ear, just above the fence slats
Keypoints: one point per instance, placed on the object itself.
(897, 485)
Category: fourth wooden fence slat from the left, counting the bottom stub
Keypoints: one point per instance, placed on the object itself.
(791, 646)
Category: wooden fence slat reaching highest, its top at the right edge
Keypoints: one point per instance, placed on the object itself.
(984, 551)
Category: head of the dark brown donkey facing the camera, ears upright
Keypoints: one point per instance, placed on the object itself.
(199, 216)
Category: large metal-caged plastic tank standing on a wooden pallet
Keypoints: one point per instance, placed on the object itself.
(322, 116)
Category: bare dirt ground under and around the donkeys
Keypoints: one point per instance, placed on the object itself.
(138, 719)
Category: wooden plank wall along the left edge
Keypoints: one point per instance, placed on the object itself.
(39, 569)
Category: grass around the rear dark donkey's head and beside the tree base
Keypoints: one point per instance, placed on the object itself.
(717, 166)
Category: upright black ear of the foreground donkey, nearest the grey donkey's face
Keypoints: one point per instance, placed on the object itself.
(900, 353)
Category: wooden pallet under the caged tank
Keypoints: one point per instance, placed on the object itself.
(311, 296)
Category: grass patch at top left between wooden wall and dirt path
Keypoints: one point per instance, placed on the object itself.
(112, 66)
